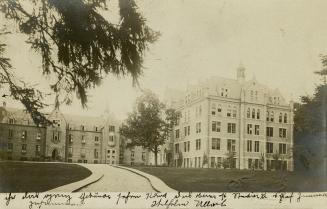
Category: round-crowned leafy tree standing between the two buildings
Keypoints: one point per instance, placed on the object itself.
(149, 124)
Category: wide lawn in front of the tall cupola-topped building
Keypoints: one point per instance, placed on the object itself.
(219, 180)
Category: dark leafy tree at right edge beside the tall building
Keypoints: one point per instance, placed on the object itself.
(310, 126)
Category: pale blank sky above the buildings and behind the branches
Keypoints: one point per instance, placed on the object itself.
(278, 41)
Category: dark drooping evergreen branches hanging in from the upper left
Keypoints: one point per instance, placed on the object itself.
(77, 45)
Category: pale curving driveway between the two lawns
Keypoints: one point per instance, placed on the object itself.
(118, 180)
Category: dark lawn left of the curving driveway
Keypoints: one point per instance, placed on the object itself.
(38, 177)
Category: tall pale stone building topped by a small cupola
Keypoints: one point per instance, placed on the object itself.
(233, 123)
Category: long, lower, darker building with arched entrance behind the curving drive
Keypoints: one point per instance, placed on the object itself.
(70, 138)
